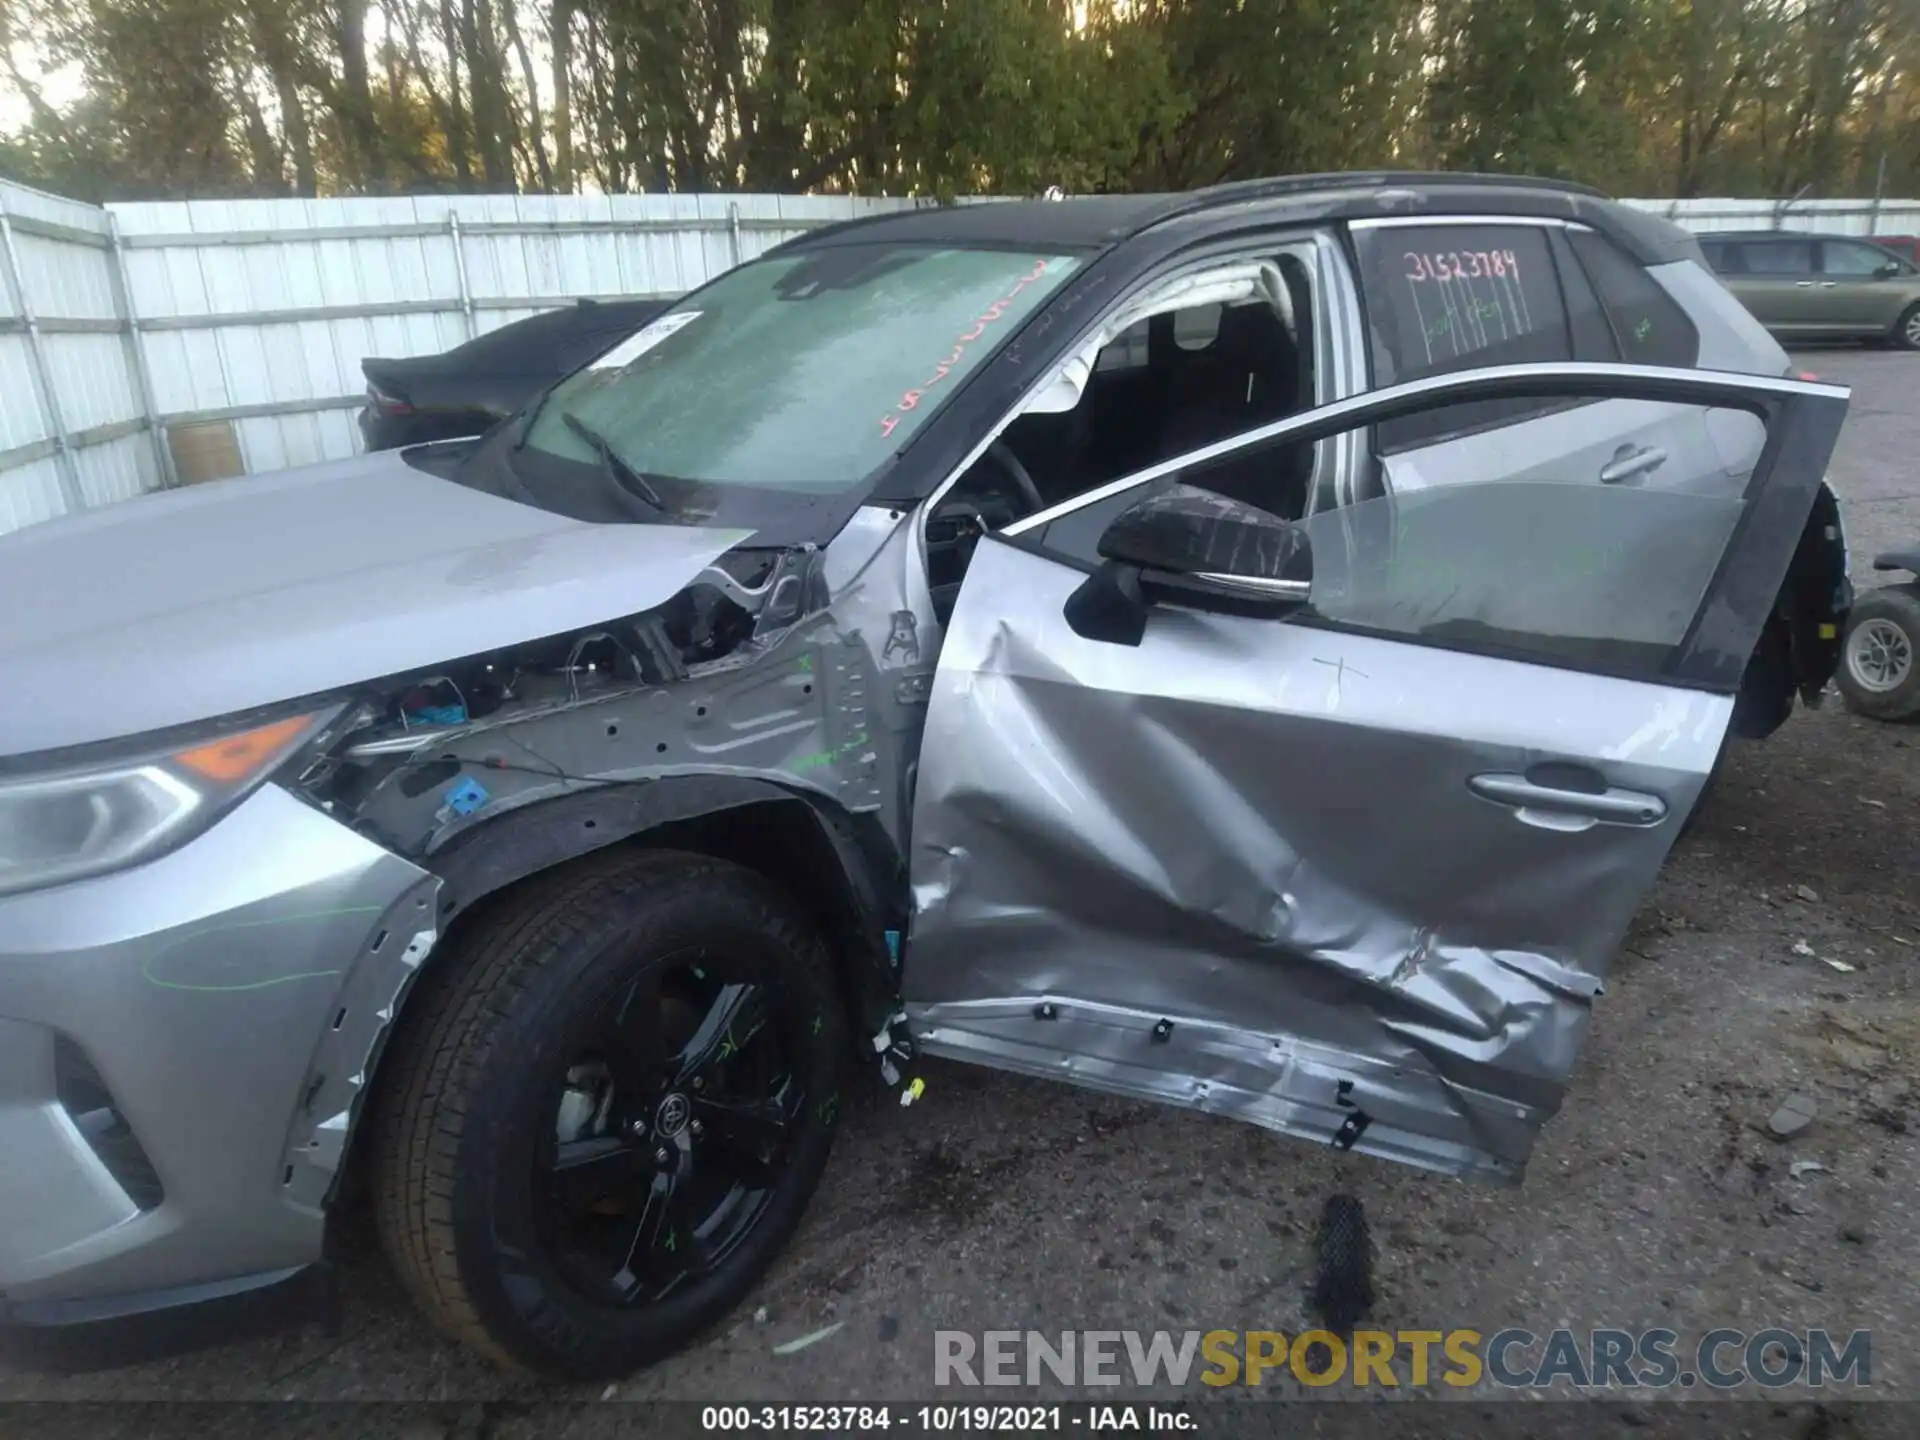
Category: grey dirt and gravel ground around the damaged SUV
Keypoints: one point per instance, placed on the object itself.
(1779, 955)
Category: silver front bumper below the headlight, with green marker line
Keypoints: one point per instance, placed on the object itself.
(181, 1047)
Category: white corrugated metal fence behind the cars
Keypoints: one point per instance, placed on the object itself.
(124, 325)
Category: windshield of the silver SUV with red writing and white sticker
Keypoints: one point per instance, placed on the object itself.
(798, 373)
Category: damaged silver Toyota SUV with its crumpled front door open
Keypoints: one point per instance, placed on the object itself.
(1249, 650)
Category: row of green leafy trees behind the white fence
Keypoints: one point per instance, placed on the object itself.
(955, 97)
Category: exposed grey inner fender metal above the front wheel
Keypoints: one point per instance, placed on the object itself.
(821, 686)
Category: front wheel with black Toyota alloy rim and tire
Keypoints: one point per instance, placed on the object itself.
(516, 1076)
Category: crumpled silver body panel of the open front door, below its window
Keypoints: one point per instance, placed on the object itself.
(1264, 838)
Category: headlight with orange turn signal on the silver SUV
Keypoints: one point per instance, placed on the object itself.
(93, 819)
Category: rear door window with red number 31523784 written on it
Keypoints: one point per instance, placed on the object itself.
(1452, 299)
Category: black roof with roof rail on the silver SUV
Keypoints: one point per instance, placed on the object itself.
(1103, 222)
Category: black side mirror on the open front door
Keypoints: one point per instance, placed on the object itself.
(1193, 548)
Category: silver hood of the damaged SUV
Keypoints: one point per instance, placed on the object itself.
(195, 604)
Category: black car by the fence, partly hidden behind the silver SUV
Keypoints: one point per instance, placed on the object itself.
(464, 391)
